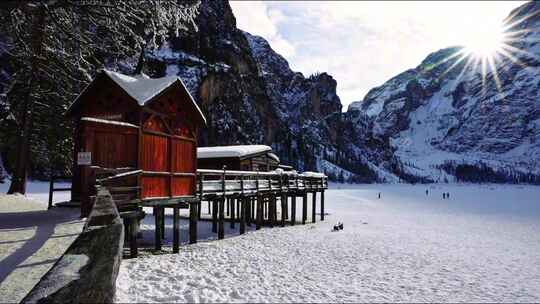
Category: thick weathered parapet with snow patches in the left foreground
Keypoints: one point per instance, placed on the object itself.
(87, 272)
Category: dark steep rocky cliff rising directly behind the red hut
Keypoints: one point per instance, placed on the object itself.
(249, 92)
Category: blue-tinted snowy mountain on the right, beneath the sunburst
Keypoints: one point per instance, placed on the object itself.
(444, 119)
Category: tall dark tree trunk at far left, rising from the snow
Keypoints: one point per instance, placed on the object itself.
(18, 182)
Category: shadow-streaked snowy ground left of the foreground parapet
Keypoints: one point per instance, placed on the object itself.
(32, 238)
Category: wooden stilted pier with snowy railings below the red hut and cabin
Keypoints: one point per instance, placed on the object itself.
(243, 198)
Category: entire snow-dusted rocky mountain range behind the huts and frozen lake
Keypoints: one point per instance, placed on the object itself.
(428, 124)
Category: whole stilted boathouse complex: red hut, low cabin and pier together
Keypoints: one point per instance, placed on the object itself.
(137, 137)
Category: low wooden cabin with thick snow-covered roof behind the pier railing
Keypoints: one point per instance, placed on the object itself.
(241, 157)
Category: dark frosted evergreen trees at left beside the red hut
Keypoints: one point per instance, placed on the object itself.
(51, 49)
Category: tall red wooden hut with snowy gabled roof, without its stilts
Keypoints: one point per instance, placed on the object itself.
(136, 123)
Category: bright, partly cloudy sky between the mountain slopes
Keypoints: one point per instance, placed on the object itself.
(363, 44)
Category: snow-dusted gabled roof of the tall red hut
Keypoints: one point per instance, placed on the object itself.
(142, 88)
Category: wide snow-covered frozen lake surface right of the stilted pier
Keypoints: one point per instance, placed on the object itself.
(482, 245)
